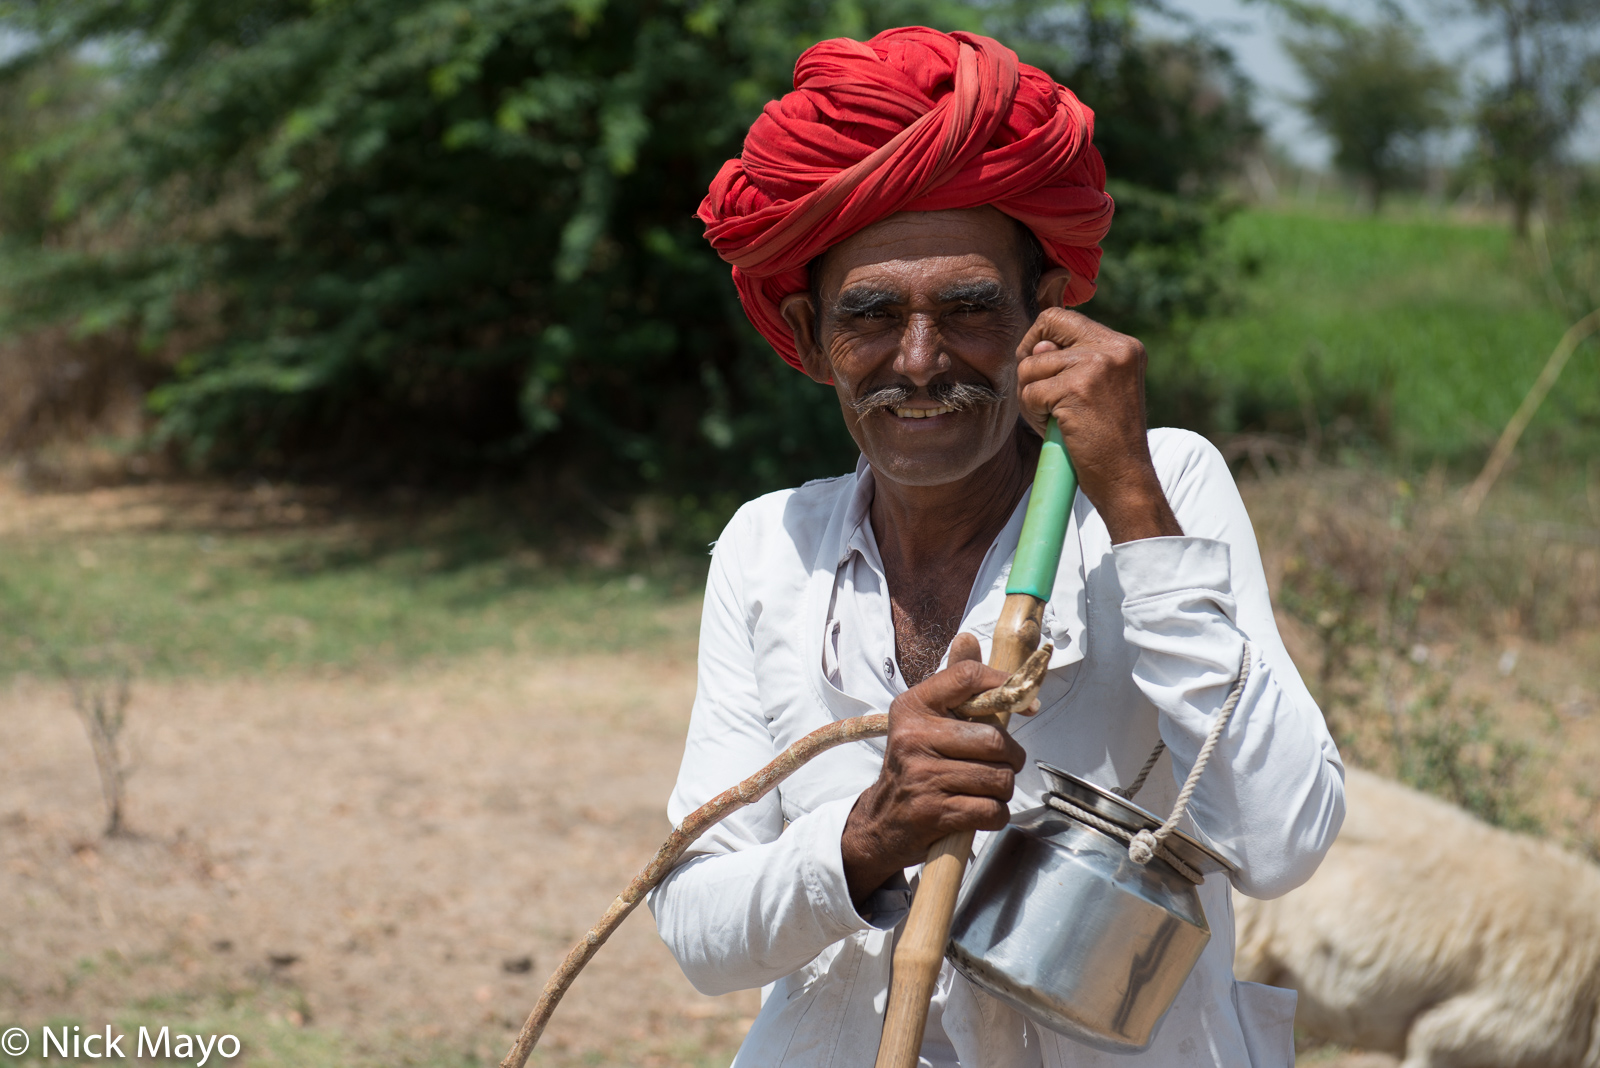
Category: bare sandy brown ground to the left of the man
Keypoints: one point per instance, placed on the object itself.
(382, 856)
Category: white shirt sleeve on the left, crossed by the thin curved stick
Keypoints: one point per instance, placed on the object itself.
(753, 901)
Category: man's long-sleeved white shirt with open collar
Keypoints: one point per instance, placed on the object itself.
(1150, 637)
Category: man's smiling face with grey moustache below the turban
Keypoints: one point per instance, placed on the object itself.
(919, 324)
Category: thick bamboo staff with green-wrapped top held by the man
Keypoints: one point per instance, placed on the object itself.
(921, 950)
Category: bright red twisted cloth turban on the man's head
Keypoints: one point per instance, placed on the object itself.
(911, 121)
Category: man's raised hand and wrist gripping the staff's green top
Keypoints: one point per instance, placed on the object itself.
(1092, 380)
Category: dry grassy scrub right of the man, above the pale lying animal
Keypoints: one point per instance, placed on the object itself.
(1454, 653)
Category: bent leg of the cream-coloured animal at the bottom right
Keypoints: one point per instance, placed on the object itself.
(1482, 1030)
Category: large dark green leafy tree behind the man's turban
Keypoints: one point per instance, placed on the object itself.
(407, 236)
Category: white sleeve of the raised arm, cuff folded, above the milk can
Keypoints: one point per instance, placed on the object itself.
(1273, 795)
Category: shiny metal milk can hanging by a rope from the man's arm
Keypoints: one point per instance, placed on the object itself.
(1062, 925)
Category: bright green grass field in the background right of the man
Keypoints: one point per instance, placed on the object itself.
(1409, 337)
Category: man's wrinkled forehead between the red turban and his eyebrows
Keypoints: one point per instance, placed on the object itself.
(974, 245)
